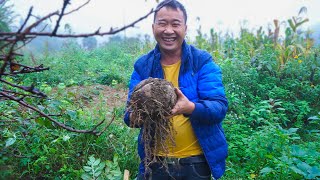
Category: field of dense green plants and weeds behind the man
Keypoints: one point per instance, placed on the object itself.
(272, 127)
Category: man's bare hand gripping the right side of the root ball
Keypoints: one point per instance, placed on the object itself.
(183, 105)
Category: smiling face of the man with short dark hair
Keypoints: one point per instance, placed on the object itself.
(169, 29)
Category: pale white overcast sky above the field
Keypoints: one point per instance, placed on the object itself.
(222, 15)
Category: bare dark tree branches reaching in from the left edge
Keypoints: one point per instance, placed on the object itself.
(11, 42)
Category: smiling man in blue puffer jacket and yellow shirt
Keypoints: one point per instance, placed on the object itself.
(200, 146)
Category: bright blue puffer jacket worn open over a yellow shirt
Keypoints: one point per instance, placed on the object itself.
(200, 81)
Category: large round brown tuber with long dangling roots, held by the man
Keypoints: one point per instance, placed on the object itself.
(151, 103)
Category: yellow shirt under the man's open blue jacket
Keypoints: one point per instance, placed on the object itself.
(186, 143)
